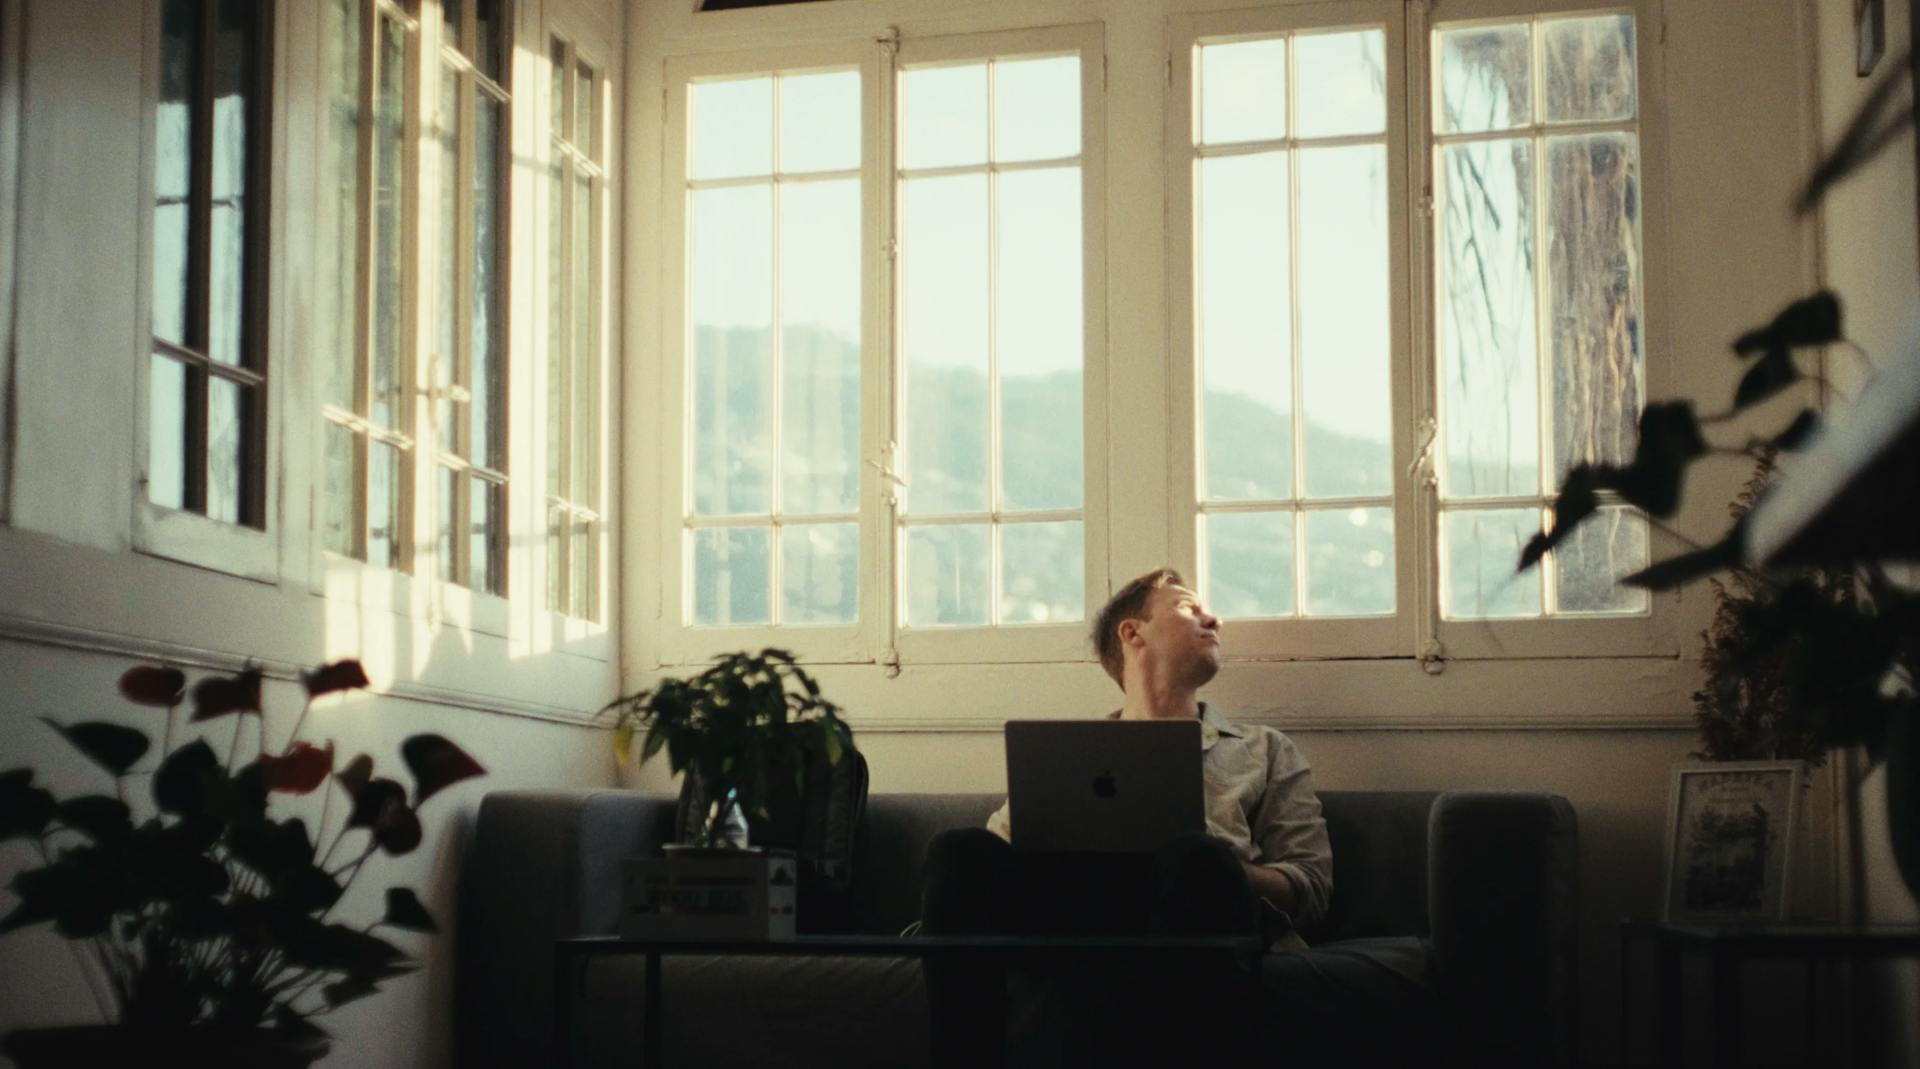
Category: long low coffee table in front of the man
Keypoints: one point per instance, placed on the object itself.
(573, 957)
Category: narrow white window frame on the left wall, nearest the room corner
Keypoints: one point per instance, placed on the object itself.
(567, 632)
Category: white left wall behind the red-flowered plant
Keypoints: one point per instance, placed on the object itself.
(80, 604)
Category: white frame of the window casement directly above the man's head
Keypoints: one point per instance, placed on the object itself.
(1297, 638)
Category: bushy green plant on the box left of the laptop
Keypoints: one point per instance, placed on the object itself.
(746, 730)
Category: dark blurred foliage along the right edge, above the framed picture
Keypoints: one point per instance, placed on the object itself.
(1815, 644)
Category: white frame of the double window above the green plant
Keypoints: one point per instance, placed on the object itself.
(878, 636)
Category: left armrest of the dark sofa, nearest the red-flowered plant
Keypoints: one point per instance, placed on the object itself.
(542, 867)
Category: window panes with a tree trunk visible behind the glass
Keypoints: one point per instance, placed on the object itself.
(1539, 306)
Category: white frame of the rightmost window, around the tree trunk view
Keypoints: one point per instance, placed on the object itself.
(1648, 634)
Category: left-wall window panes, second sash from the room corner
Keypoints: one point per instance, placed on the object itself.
(468, 302)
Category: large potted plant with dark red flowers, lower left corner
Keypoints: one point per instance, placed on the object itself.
(204, 924)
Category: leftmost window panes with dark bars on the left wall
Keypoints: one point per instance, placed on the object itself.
(206, 446)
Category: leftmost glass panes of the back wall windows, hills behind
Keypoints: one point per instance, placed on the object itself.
(773, 204)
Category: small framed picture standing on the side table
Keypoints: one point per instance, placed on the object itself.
(1731, 828)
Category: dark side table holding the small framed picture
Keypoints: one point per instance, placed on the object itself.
(1727, 949)
